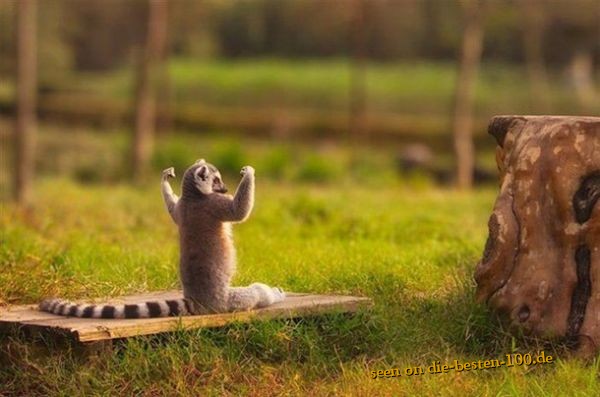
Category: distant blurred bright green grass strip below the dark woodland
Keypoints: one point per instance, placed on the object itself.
(407, 87)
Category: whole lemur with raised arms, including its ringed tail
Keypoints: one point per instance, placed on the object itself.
(207, 261)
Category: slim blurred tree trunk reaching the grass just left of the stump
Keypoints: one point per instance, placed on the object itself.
(472, 43)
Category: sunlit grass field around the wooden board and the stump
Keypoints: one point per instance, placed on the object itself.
(411, 247)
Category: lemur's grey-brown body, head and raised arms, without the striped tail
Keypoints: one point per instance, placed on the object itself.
(207, 254)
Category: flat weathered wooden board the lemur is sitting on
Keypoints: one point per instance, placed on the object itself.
(28, 317)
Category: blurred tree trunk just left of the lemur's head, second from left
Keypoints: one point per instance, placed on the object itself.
(145, 109)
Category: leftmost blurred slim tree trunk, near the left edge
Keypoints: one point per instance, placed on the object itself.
(26, 100)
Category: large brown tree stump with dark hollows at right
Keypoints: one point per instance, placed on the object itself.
(541, 265)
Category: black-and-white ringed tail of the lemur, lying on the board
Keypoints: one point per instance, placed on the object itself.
(164, 308)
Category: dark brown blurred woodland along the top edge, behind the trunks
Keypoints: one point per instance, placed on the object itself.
(83, 34)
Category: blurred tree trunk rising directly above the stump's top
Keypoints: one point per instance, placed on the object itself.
(533, 34)
